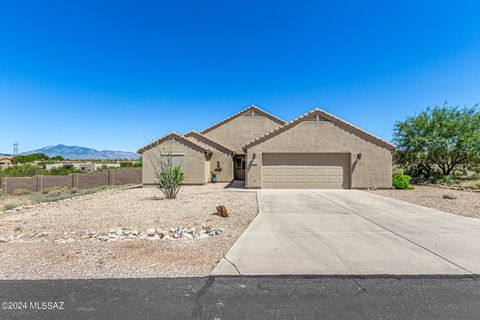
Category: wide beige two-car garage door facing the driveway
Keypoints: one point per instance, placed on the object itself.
(305, 171)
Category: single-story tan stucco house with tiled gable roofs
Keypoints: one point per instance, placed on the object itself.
(316, 150)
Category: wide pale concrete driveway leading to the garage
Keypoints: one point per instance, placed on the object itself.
(351, 232)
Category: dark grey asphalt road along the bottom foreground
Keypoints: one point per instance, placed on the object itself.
(249, 298)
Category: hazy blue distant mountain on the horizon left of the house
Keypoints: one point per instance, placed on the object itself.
(81, 153)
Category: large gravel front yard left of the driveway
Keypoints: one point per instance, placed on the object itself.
(30, 256)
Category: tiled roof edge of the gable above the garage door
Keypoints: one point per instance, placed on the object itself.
(321, 115)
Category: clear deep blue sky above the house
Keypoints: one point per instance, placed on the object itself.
(114, 74)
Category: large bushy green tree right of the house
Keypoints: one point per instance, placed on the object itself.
(442, 137)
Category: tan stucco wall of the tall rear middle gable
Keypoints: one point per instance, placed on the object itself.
(241, 130)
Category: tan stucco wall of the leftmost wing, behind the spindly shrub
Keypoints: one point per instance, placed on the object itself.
(195, 163)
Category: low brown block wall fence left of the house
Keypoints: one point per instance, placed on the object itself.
(75, 180)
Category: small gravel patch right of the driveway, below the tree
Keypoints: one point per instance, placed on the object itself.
(465, 203)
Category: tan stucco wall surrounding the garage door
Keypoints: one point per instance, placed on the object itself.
(373, 170)
